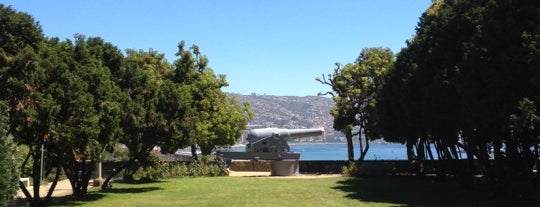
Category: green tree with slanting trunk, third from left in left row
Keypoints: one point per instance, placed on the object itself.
(144, 121)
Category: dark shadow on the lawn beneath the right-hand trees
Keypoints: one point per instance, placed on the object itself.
(415, 192)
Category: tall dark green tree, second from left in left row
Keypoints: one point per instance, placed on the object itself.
(89, 113)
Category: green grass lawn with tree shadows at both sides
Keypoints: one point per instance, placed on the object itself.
(253, 191)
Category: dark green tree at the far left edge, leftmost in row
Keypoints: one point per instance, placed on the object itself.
(22, 81)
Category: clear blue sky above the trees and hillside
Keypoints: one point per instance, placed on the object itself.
(273, 47)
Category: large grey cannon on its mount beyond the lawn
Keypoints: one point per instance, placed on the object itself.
(271, 144)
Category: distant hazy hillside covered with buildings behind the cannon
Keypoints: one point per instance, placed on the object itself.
(291, 112)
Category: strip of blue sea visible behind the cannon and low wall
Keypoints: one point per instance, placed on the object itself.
(338, 151)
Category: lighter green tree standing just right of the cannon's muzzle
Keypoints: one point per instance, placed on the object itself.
(355, 88)
